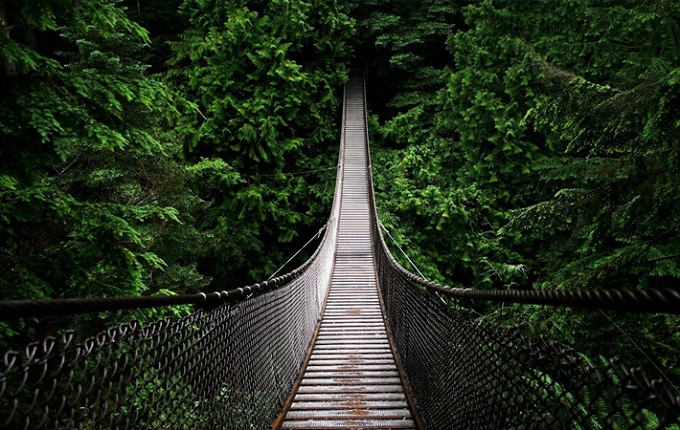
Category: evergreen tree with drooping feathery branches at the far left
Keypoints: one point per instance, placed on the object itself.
(89, 189)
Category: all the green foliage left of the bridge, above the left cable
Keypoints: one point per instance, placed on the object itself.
(117, 182)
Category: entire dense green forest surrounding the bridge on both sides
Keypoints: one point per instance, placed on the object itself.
(169, 146)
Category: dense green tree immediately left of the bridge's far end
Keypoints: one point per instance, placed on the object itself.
(264, 78)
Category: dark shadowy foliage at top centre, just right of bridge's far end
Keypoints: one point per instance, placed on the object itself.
(402, 46)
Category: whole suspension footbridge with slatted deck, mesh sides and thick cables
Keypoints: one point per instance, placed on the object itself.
(349, 340)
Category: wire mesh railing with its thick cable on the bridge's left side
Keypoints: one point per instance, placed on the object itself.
(229, 365)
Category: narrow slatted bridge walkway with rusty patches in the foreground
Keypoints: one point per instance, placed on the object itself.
(351, 380)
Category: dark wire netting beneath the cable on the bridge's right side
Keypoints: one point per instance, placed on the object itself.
(469, 374)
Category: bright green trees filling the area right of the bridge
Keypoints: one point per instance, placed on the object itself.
(548, 161)
